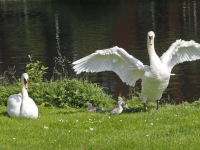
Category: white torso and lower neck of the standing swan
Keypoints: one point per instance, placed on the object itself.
(155, 78)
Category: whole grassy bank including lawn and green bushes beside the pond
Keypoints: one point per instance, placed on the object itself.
(64, 123)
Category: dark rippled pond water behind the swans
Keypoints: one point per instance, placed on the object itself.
(77, 28)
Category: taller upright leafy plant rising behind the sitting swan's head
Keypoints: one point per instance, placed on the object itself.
(35, 70)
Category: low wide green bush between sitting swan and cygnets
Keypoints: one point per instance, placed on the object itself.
(69, 93)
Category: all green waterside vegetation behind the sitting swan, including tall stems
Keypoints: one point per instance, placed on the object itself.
(63, 92)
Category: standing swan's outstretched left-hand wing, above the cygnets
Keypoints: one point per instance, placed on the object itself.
(116, 59)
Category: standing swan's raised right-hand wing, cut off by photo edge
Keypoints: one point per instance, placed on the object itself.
(179, 52)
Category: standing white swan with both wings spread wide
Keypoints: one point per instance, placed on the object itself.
(155, 77)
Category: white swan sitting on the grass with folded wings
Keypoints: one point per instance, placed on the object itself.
(21, 105)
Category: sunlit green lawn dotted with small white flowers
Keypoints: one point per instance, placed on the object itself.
(173, 127)
